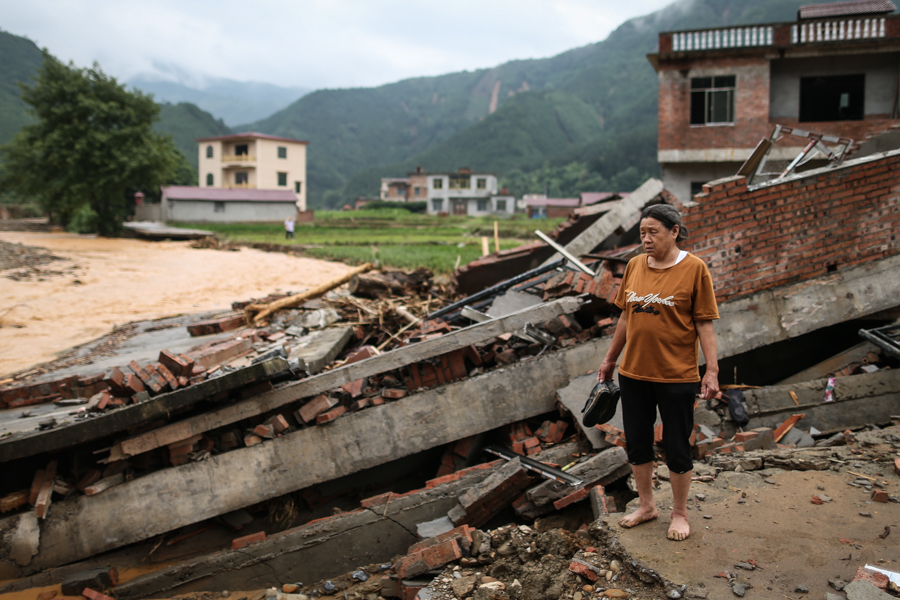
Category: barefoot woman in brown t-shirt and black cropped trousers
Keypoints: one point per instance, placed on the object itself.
(667, 304)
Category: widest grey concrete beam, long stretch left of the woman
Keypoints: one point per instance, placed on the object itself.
(357, 441)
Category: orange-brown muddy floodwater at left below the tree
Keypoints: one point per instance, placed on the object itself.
(100, 283)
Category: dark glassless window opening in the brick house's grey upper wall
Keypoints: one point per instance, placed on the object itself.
(834, 98)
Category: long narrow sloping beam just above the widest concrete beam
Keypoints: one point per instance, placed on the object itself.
(388, 361)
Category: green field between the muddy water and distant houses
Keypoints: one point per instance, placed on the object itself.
(395, 237)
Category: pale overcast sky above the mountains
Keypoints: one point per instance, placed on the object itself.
(311, 43)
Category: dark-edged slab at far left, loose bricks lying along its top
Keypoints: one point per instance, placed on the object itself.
(73, 433)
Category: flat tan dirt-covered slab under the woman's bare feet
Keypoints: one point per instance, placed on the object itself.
(793, 541)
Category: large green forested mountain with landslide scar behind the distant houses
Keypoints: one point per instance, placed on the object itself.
(584, 119)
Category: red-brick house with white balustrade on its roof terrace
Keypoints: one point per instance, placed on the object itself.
(834, 71)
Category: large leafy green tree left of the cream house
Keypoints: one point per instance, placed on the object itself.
(90, 146)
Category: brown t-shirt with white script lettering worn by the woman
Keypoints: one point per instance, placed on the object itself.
(660, 307)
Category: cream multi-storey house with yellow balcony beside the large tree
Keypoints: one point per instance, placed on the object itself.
(254, 161)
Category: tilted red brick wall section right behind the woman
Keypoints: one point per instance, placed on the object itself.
(795, 230)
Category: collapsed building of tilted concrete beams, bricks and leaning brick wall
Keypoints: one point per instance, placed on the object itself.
(800, 264)
